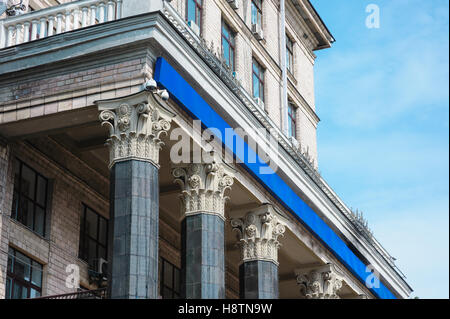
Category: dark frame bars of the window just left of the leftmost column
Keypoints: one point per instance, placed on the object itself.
(85, 237)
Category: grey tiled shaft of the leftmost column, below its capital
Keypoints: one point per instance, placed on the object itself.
(134, 219)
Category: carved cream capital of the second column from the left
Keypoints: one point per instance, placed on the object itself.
(203, 187)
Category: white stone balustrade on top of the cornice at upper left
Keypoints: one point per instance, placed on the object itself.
(55, 20)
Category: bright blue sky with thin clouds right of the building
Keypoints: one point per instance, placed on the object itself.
(382, 95)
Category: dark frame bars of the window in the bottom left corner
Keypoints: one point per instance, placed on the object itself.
(16, 278)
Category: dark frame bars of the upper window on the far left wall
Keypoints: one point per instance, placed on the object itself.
(16, 207)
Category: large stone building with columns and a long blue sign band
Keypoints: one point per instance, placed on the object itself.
(167, 149)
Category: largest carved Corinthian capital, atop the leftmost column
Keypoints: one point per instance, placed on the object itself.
(136, 124)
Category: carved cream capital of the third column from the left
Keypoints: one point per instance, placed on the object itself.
(258, 234)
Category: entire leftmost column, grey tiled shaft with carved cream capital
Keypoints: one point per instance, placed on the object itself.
(136, 124)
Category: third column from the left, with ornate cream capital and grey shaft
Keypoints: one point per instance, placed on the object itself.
(258, 234)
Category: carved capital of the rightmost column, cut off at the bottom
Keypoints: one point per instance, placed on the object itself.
(323, 282)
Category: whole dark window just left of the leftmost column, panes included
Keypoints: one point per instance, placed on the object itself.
(93, 237)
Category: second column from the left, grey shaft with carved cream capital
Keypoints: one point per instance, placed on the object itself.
(202, 230)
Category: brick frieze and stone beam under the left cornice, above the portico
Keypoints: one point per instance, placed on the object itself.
(49, 94)
